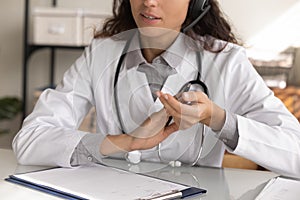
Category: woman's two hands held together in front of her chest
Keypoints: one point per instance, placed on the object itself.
(154, 130)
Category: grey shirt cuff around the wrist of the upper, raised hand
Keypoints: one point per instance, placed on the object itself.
(229, 133)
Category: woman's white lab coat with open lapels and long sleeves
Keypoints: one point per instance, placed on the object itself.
(268, 134)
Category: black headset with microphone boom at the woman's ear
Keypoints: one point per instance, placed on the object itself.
(197, 10)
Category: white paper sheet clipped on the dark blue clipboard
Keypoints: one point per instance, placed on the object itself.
(100, 182)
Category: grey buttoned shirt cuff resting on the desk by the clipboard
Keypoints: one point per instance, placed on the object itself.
(87, 150)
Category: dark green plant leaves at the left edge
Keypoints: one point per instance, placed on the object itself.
(9, 108)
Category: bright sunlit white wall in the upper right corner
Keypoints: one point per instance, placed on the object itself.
(267, 28)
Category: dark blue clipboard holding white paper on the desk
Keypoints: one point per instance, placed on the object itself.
(102, 182)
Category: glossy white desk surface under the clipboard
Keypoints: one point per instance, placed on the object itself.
(220, 183)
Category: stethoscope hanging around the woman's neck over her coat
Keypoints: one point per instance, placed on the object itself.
(193, 85)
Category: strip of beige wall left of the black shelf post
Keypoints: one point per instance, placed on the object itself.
(10, 46)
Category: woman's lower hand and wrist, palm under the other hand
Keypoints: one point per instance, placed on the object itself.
(148, 135)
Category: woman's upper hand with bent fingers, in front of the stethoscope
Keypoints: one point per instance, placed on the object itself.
(201, 109)
